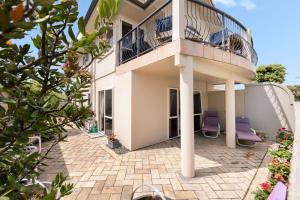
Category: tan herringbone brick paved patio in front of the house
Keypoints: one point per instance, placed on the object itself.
(99, 173)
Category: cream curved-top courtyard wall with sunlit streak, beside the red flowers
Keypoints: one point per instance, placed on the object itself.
(270, 107)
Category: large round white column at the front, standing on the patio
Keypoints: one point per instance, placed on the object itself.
(187, 121)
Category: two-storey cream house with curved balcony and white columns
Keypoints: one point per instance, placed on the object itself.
(153, 83)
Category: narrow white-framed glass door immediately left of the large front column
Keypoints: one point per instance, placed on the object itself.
(173, 113)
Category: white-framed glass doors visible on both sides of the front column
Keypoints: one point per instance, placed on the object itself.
(174, 112)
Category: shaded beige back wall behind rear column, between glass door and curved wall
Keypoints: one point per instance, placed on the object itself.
(216, 102)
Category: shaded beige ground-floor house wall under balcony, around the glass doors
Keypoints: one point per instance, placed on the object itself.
(150, 107)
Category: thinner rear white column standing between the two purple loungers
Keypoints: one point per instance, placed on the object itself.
(230, 113)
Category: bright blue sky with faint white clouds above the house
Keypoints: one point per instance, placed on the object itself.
(275, 27)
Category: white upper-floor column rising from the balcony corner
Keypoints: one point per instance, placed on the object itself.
(178, 21)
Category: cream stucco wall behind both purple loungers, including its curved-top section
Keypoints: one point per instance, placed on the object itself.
(268, 106)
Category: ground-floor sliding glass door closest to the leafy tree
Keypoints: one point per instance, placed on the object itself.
(105, 111)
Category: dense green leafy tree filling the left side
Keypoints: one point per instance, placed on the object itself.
(41, 94)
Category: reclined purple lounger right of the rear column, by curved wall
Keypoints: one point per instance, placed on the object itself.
(245, 133)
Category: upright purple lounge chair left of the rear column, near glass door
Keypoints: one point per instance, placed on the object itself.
(211, 124)
